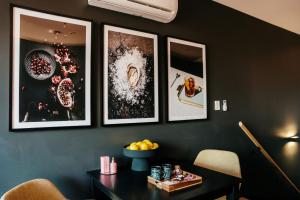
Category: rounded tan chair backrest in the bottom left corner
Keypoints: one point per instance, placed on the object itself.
(36, 189)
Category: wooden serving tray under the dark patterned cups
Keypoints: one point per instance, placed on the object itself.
(171, 186)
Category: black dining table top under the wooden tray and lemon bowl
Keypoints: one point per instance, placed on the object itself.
(132, 185)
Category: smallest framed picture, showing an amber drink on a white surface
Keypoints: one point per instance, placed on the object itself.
(186, 80)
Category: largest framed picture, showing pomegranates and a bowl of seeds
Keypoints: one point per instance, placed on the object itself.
(51, 70)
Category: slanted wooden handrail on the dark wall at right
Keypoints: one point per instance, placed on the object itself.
(265, 153)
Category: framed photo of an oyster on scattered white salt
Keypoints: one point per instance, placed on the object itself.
(130, 76)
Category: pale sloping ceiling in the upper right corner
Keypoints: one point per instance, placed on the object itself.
(282, 13)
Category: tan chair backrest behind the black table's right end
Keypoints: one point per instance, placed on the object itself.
(226, 162)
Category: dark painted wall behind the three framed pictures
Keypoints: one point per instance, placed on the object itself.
(252, 64)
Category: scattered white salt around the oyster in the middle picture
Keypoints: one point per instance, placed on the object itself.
(119, 76)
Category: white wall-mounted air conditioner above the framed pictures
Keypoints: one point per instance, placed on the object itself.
(158, 10)
